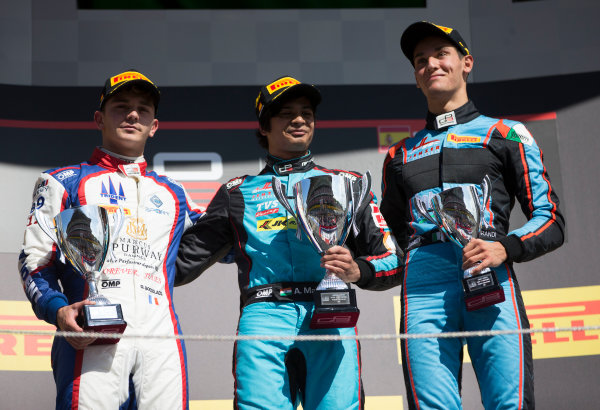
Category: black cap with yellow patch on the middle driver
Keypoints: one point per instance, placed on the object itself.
(271, 94)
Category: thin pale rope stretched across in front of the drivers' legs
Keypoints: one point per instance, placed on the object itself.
(228, 338)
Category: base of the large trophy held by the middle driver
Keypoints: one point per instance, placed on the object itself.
(334, 308)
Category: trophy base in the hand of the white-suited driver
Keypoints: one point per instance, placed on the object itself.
(103, 319)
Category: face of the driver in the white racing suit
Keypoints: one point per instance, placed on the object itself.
(127, 121)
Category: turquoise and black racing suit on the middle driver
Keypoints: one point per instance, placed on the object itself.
(281, 272)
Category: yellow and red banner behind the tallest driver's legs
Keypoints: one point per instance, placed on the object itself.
(554, 308)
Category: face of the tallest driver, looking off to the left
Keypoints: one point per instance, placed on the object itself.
(441, 73)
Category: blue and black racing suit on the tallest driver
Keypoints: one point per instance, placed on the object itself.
(457, 148)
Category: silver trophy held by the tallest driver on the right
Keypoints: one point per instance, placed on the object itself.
(458, 212)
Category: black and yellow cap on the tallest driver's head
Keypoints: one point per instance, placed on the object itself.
(418, 31)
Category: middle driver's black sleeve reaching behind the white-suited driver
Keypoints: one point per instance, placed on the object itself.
(207, 241)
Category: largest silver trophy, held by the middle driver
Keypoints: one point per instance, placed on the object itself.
(325, 208)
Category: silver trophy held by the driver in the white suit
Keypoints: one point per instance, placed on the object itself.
(83, 236)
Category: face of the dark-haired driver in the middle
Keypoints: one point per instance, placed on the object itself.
(292, 129)
